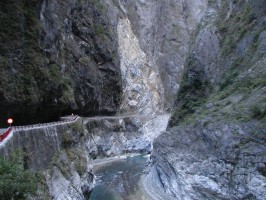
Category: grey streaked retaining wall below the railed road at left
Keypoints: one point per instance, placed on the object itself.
(42, 144)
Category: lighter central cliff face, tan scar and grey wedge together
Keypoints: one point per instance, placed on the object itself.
(153, 40)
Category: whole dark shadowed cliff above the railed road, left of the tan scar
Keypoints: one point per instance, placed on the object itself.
(57, 56)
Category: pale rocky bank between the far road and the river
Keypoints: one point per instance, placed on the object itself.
(119, 135)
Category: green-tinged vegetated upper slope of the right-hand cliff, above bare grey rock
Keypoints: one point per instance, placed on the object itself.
(235, 91)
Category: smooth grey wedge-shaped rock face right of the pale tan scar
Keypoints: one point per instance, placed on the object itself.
(164, 29)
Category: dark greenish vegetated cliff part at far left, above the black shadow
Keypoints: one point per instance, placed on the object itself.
(26, 75)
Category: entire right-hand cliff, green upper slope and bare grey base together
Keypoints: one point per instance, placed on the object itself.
(214, 147)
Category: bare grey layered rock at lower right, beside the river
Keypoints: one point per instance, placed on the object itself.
(218, 161)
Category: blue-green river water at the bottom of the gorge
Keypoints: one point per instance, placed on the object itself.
(118, 180)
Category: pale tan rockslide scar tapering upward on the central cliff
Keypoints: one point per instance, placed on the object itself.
(142, 88)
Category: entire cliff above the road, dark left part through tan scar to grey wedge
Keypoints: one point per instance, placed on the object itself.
(92, 57)
